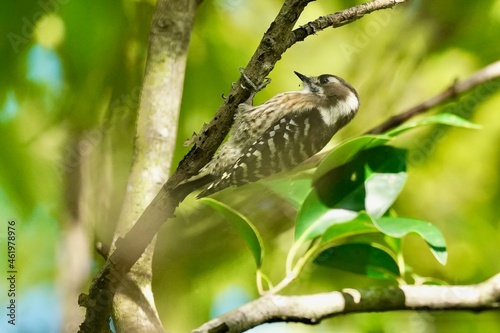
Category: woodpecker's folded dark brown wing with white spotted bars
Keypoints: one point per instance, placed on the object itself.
(288, 142)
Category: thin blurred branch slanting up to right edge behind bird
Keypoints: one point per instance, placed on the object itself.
(483, 75)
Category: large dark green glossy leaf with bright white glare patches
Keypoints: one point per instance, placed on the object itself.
(339, 194)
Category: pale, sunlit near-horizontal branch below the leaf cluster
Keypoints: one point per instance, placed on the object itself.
(312, 309)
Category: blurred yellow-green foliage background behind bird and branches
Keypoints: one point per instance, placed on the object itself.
(71, 73)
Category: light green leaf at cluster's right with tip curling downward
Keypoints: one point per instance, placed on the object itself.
(399, 227)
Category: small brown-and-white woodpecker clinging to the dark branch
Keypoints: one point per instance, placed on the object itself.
(279, 134)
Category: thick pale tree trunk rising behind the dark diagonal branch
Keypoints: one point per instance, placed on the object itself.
(134, 309)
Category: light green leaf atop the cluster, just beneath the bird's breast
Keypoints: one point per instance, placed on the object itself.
(346, 151)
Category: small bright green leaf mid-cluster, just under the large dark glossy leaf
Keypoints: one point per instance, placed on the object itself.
(362, 224)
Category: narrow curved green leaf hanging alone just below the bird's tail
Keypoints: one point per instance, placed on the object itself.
(245, 228)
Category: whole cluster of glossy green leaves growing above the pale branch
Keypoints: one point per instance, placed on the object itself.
(344, 218)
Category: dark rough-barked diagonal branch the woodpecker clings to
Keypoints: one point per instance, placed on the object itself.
(129, 248)
